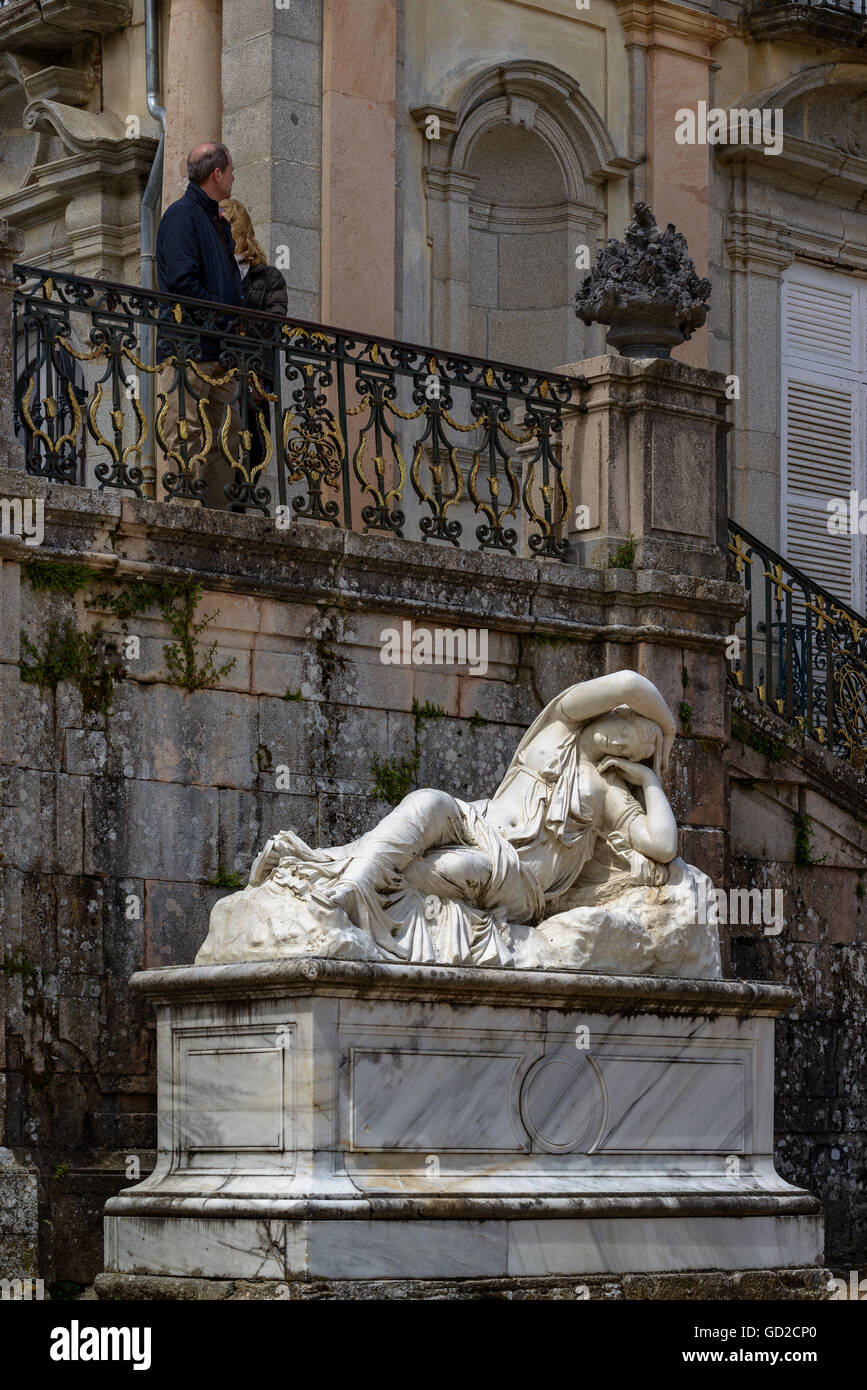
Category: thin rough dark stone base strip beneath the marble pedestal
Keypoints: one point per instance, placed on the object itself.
(748, 1285)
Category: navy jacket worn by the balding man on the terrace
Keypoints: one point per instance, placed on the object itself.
(197, 255)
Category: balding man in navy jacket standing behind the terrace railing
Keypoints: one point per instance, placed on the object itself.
(197, 259)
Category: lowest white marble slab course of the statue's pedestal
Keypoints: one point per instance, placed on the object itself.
(509, 1243)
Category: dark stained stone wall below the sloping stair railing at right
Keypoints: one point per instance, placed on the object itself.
(800, 825)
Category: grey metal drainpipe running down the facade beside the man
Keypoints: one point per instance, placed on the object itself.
(151, 202)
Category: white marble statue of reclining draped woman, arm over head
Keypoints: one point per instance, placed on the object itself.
(573, 854)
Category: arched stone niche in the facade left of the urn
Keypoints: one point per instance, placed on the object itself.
(515, 183)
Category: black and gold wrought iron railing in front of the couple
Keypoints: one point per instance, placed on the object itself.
(345, 430)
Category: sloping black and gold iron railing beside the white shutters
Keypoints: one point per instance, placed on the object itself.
(801, 651)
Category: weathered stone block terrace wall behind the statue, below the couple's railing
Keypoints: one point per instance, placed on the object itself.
(117, 829)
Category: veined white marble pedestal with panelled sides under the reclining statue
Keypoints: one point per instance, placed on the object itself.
(354, 1122)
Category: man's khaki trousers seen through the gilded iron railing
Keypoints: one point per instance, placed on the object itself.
(213, 469)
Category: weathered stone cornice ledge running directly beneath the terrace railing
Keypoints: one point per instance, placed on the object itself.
(344, 569)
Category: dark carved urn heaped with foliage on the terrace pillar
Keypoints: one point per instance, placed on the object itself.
(645, 288)
